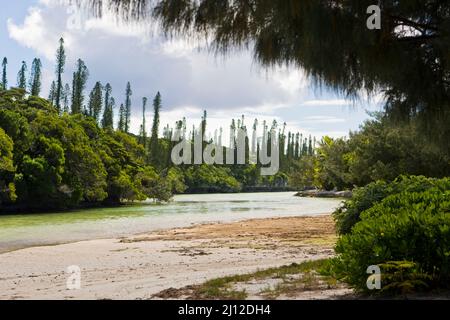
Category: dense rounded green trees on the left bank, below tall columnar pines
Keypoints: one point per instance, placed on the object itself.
(64, 161)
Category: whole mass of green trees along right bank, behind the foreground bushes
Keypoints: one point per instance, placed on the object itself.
(380, 150)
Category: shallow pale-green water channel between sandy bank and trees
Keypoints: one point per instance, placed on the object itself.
(21, 231)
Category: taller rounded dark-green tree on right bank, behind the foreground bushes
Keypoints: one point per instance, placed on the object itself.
(381, 151)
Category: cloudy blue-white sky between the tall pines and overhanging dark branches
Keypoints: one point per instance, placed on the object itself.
(190, 78)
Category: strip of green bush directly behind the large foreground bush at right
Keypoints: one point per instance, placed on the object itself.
(364, 198)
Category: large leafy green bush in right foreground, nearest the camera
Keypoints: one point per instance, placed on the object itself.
(406, 227)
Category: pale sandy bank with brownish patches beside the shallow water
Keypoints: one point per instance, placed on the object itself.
(139, 266)
